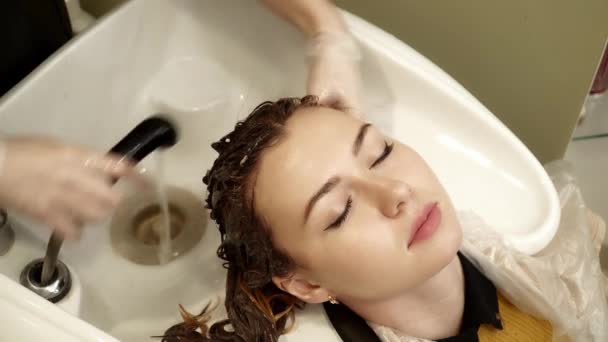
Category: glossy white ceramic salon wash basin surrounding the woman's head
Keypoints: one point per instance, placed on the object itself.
(206, 64)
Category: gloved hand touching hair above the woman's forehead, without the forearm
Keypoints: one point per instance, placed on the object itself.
(334, 73)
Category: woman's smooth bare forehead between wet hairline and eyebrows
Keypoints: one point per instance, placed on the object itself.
(302, 161)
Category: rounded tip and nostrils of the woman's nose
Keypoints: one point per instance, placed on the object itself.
(391, 195)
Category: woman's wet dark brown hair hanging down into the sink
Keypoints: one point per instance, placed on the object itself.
(257, 310)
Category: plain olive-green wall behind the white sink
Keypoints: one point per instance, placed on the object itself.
(530, 62)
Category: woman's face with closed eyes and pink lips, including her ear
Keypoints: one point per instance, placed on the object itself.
(362, 215)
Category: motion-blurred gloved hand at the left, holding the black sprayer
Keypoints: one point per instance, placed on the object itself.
(61, 185)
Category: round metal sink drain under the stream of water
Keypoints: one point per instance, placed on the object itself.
(137, 226)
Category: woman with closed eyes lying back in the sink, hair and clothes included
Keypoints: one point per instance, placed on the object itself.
(339, 212)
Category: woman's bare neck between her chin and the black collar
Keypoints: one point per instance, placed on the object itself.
(432, 310)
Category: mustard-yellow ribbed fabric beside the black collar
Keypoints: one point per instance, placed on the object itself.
(517, 326)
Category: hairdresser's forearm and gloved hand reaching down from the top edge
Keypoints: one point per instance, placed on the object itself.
(333, 54)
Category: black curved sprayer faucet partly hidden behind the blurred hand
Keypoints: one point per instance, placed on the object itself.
(152, 133)
